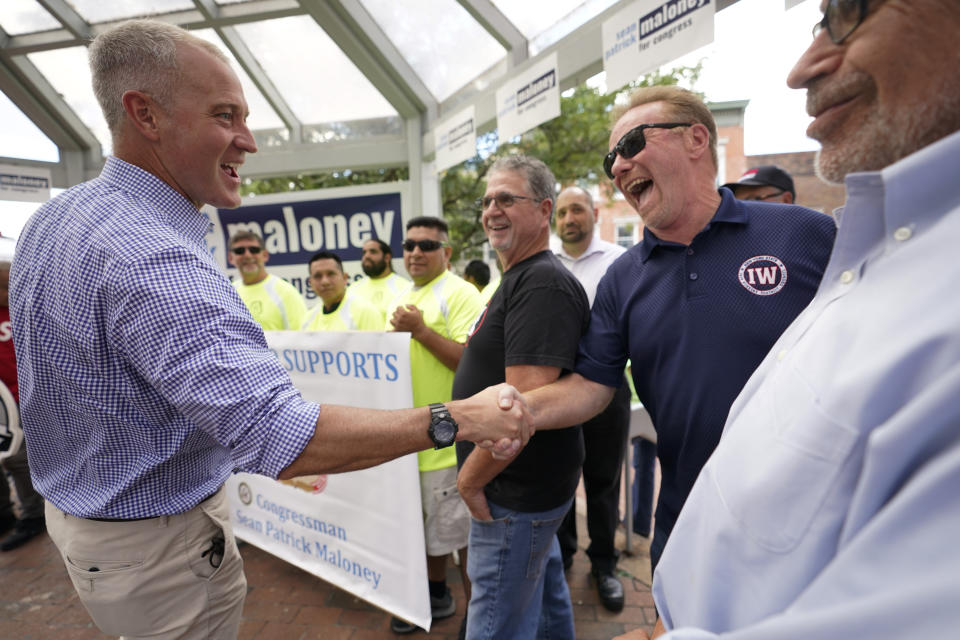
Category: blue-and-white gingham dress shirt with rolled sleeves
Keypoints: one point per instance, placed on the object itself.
(144, 382)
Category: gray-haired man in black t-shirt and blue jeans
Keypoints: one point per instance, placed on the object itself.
(528, 337)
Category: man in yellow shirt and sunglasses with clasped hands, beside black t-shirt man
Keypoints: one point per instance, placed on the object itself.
(438, 311)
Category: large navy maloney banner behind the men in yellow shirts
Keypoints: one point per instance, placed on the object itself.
(294, 226)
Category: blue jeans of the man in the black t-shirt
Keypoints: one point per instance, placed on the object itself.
(519, 590)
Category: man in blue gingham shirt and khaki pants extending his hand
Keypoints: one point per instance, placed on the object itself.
(144, 380)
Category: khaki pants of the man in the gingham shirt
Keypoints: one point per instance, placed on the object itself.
(156, 578)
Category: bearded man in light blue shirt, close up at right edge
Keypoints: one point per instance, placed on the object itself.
(830, 508)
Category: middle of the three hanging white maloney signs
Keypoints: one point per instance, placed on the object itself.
(528, 99)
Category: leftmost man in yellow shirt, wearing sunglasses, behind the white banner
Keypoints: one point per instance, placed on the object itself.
(273, 302)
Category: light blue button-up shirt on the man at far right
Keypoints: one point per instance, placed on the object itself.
(831, 507)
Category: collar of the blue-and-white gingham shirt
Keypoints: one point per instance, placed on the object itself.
(172, 207)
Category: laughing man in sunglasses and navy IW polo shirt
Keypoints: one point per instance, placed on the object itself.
(699, 302)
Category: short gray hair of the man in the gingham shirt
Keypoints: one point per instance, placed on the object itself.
(139, 55)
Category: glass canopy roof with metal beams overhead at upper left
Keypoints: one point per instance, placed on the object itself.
(314, 71)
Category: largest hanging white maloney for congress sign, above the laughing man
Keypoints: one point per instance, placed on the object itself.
(651, 33)
